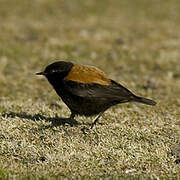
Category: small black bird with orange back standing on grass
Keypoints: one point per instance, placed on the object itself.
(87, 90)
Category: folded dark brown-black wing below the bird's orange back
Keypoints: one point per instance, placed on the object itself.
(113, 91)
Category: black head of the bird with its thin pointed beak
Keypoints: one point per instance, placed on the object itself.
(57, 69)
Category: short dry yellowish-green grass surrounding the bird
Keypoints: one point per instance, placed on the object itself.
(136, 43)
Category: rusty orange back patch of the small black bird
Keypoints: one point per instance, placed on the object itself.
(87, 74)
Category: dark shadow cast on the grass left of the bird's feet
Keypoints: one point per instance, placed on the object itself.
(55, 121)
